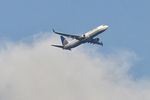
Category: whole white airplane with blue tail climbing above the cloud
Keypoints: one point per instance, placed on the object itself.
(78, 40)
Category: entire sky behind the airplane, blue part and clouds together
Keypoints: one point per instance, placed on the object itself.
(126, 43)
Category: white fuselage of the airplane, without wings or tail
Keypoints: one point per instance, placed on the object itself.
(88, 35)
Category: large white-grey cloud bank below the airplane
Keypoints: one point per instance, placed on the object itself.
(37, 71)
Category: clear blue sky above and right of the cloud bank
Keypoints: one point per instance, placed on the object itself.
(128, 20)
